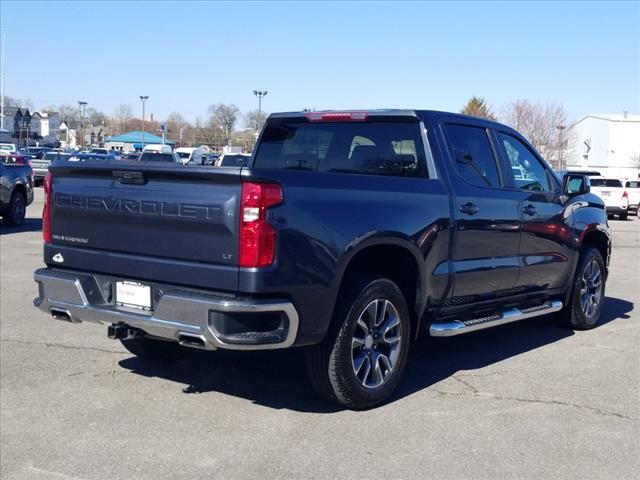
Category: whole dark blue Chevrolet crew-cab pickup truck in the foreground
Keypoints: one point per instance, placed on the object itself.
(347, 234)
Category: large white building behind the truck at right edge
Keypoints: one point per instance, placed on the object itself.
(608, 143)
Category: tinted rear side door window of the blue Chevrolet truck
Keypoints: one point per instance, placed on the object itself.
(473, 155)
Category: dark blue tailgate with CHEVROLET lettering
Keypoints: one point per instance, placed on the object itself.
(147, 219)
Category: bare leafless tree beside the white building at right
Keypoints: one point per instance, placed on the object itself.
(545, 126)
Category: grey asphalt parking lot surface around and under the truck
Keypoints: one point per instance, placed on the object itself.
(527, 400)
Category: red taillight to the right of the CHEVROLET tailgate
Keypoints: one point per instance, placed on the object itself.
(257, 246)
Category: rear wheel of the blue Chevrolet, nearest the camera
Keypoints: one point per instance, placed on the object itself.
(332, 365)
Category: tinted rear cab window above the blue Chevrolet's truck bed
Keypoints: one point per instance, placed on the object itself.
(375, 146)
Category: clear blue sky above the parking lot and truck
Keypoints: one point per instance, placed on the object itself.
(188, 55)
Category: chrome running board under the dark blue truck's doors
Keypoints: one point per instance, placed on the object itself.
(458, 327)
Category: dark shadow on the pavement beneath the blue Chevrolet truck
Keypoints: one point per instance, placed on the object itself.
(277, 379)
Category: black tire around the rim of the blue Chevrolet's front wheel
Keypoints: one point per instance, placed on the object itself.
(573, 314)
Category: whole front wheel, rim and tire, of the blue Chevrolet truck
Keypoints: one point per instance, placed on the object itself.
(587, 295)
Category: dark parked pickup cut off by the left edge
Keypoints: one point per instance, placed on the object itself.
(16, 189)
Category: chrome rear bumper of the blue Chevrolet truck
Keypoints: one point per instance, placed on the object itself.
(177, 313)
